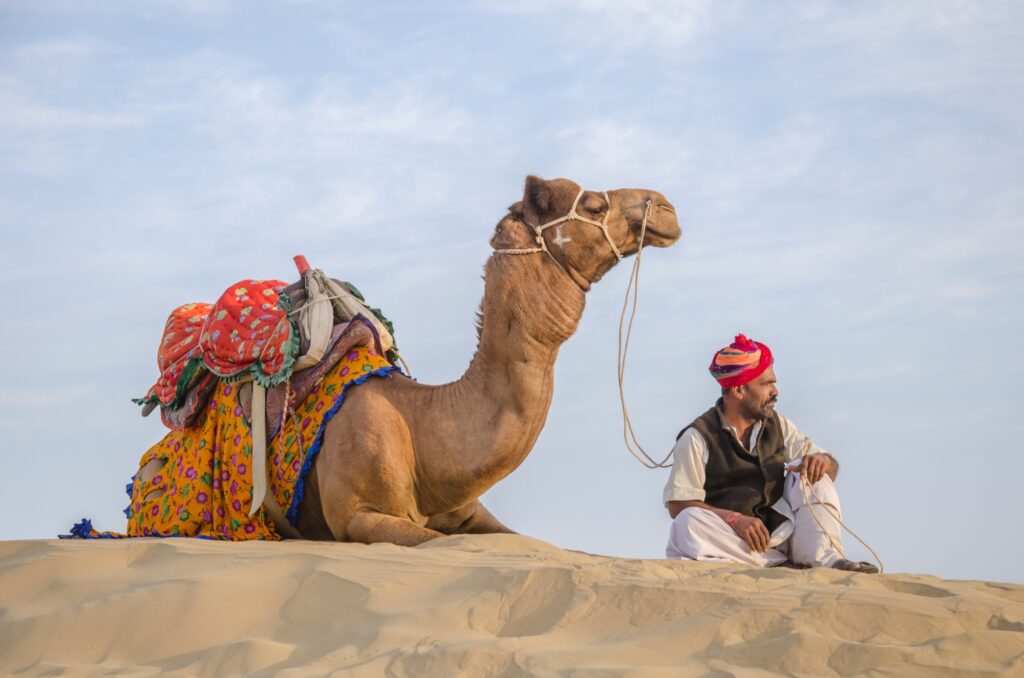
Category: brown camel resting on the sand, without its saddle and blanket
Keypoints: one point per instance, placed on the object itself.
(407, 462)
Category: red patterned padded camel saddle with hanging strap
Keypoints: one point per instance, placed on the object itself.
(277, 341)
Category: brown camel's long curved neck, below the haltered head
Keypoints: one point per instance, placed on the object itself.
(530, 310)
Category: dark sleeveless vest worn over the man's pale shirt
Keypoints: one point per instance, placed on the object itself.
(738, 480)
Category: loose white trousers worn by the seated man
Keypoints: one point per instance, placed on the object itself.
(698, 534)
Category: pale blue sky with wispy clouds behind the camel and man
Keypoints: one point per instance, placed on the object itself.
(848, 179)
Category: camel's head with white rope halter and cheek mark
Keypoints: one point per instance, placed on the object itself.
(590, 227)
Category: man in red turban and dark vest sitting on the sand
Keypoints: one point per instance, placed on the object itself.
(729, 495)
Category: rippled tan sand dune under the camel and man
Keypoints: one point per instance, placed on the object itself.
(493, 606)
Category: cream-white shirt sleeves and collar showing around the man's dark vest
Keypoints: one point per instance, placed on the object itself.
(691, 454)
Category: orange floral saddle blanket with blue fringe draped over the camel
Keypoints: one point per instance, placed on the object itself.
(205, 487)
